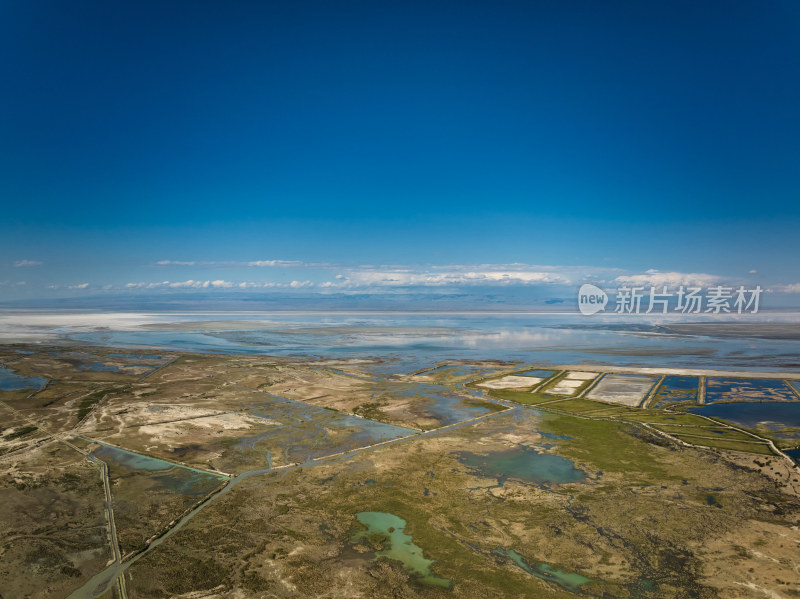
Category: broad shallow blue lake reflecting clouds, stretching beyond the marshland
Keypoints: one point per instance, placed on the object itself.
(420, 339)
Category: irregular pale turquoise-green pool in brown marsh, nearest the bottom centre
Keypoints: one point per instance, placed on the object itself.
(388, 529)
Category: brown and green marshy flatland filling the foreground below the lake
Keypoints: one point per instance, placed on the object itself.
(603, 506)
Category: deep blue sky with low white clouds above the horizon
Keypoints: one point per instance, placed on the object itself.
(386, 146)
